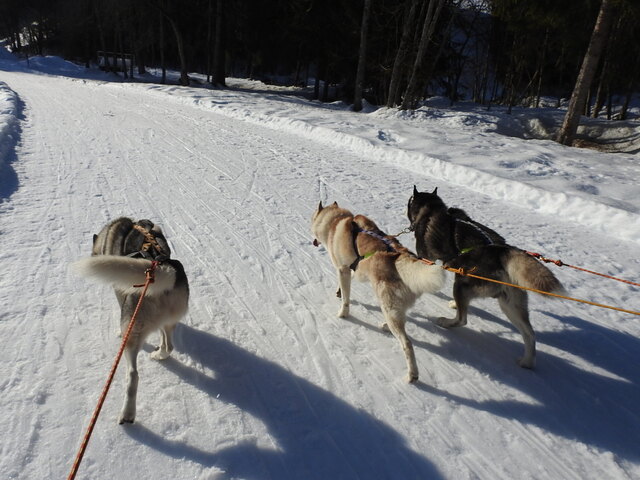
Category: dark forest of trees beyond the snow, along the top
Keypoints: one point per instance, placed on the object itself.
(512, 52)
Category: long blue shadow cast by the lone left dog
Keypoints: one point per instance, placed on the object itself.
(318, 434)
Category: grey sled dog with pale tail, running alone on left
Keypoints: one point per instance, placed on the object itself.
(122, 252)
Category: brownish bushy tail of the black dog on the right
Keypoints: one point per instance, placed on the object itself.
(526, 271)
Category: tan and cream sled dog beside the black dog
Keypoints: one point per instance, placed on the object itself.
(398, 278)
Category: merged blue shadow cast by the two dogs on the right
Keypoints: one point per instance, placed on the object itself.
(597, 407)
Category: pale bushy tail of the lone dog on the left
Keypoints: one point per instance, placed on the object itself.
(125, 272)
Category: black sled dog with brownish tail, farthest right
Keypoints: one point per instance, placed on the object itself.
(448, 234)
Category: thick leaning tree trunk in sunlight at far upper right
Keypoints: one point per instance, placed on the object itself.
(599, 38)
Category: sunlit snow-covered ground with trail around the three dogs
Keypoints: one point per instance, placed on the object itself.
(266, 383)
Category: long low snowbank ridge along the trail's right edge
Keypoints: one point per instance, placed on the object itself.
(589, 212)
